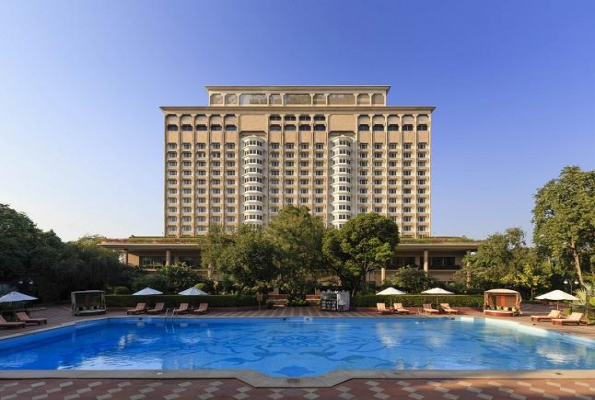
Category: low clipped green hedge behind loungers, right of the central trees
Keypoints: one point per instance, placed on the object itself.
(418, 300)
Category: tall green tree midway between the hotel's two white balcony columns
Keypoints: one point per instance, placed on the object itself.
(297, 237)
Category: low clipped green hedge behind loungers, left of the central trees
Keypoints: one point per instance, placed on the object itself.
(175, 300)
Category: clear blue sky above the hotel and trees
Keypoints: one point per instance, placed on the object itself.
(81, 83)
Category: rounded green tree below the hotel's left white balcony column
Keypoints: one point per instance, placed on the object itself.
(250, 260)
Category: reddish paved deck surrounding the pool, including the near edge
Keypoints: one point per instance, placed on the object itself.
(368, 385)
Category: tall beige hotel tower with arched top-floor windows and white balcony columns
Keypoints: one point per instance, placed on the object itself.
(339, 150)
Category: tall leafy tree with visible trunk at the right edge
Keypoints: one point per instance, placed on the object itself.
(564, 218)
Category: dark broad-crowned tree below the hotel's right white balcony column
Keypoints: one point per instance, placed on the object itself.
(364, 244)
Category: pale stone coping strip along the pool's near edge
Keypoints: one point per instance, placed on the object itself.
(259, 380)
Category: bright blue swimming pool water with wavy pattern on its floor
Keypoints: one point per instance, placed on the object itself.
(295, 347)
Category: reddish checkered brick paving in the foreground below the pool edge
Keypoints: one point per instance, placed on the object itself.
(354, 389)
